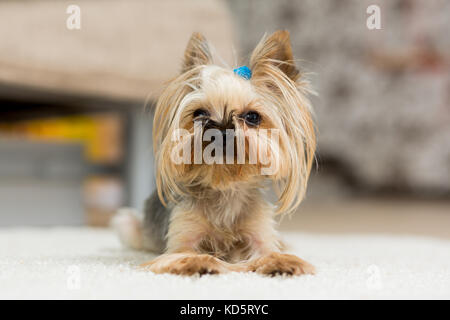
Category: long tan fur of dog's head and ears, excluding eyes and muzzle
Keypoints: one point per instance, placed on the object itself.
(279, 93)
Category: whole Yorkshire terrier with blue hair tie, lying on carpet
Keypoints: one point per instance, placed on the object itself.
(212, 215)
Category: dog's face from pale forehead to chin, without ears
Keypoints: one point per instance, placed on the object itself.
(223, 120)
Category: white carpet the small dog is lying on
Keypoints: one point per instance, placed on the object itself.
(71, 263)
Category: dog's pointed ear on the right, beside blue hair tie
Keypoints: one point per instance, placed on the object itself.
(275, 50)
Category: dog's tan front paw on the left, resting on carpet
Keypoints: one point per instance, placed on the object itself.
(186, 264)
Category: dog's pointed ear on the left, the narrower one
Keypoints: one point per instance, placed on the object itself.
(197, 52)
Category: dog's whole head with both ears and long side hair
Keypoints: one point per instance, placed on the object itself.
(215, 129)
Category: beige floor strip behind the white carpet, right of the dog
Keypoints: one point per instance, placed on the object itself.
(372, 216)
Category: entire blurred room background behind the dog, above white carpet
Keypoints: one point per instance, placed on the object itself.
(76, 105)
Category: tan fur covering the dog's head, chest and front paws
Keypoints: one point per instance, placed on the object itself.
(220, 219)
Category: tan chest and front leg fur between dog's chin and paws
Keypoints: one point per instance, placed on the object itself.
(206, 226)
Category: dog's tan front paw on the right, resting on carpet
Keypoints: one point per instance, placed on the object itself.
(281, 264)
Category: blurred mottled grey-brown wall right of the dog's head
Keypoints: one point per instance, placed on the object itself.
(383, 110)
